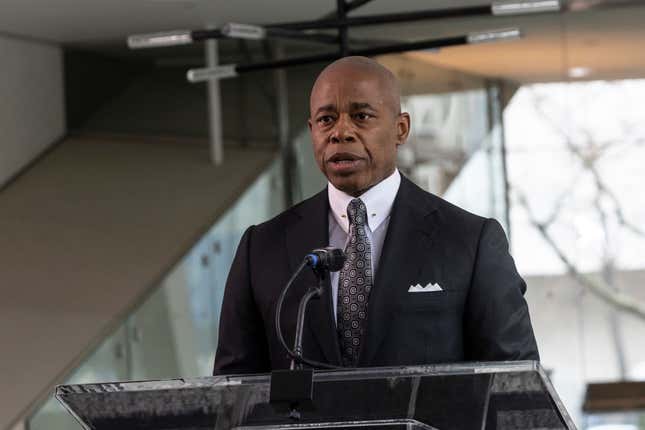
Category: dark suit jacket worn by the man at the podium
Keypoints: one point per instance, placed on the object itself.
(480, 315)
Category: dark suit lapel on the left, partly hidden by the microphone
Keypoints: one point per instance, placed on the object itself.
(310, 231)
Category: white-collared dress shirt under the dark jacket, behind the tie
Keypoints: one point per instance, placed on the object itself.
(378, 202)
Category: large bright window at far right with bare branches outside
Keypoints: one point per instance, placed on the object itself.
(575, 160)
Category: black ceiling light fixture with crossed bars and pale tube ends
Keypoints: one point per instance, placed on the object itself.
(346, 45)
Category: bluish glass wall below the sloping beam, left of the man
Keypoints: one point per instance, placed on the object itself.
(173, 333)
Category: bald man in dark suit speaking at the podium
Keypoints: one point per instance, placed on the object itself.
(424, 282)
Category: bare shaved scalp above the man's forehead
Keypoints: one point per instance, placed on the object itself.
(352, 69)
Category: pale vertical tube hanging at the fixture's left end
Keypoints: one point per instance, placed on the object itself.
(216, 138)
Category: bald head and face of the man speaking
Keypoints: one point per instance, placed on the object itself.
(356, 123)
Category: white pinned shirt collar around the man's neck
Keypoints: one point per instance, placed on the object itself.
(378, 201)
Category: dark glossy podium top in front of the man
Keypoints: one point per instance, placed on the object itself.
(500, 395)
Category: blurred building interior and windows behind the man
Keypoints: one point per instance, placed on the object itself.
(124, 188)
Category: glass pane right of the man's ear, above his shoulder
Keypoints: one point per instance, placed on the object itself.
(455, 149)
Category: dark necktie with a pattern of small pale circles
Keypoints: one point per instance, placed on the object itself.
(354, 285)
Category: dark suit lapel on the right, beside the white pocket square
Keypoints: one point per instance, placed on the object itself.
(404, 253)
